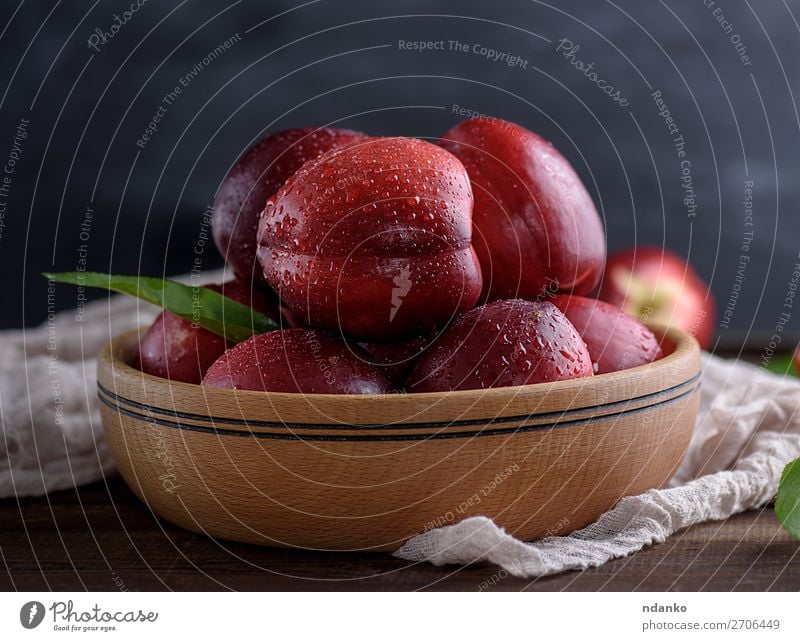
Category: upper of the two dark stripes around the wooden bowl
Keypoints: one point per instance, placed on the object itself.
(654, 396)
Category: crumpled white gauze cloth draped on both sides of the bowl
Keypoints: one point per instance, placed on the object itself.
(747, 431)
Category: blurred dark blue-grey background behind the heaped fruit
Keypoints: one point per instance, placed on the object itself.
(338, 62)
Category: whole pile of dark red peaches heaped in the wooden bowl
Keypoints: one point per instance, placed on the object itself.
(397, 264)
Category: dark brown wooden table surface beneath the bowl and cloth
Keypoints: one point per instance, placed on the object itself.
(102, 538)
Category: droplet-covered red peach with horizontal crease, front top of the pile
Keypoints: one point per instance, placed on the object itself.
(351, 249)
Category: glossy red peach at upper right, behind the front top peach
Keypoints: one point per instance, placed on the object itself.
(536, 227)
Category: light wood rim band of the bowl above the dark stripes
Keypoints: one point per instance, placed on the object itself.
(678, 368)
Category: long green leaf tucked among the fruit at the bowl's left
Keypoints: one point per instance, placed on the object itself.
(202, 306)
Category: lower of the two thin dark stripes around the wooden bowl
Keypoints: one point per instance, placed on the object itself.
(385, 437)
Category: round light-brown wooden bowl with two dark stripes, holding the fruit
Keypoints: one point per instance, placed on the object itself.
(368, 472)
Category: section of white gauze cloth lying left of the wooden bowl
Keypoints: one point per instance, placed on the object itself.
(51, 437)
